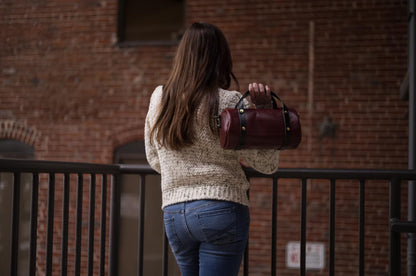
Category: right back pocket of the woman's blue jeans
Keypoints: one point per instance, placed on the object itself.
(219, 225)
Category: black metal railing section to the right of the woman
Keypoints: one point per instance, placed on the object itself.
(395, 177)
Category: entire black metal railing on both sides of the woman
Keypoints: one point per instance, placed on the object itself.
(82, 171)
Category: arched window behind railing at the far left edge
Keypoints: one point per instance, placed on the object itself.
(15, 149)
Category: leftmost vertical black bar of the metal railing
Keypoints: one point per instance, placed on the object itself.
(14, 239)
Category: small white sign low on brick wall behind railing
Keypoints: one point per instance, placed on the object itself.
(315, 255)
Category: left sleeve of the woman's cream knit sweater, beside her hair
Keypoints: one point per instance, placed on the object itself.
(150, 146)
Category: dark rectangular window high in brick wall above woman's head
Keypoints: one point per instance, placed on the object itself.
(150, 22)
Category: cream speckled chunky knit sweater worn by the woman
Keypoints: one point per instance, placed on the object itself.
(204, 170)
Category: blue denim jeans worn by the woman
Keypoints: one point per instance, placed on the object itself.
(207, 237)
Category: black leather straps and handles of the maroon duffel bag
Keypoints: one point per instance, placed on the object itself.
(243, 121)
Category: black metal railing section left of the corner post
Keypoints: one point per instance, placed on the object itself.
(51, 169)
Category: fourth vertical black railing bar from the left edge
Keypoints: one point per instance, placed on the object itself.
(65, 210)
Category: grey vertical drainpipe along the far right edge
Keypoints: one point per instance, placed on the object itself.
(411, 242)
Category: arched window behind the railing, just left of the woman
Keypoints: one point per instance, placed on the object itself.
(134, 153)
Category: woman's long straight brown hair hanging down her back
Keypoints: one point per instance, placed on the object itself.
(202, 65)
